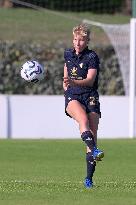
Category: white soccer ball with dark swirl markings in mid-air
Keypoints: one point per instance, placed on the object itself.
(32, 71)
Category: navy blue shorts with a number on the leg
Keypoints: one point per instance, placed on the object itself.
(89, 100)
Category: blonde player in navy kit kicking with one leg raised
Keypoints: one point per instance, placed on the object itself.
(80, 83)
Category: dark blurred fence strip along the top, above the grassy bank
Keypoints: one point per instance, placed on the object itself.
(97, 6)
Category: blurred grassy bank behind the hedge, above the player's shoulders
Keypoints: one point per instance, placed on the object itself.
(29, 25)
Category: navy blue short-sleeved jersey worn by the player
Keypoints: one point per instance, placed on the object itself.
(78, 66)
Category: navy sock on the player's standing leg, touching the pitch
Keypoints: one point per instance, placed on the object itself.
(90, 165)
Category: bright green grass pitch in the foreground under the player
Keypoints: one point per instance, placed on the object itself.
(51, 172)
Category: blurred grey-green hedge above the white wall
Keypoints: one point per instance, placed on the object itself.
(13, 55)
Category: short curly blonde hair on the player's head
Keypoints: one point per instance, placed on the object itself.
(82, 30)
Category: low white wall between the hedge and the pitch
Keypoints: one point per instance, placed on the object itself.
(34, 116)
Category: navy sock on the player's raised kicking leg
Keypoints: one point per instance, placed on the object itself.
(87, 137)
